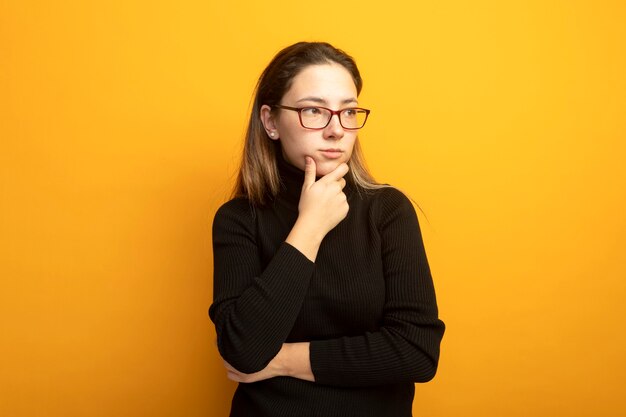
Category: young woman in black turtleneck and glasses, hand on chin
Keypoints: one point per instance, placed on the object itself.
(323, 299)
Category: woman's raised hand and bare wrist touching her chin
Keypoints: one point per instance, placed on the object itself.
(322, 206)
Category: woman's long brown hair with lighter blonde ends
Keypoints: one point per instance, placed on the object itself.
(258, 179)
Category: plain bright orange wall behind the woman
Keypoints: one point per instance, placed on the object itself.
(121, 126)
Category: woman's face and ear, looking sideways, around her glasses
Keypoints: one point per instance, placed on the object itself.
(326, 85)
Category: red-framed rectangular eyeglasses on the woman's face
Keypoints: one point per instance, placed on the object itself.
(352, 118)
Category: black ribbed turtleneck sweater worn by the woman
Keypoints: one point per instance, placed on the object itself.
(367, 305)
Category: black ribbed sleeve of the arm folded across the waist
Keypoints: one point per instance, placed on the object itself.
(406, 346)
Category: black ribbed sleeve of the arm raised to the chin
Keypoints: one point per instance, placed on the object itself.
(253, 308)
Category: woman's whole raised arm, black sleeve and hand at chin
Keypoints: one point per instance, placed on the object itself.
(254, 310)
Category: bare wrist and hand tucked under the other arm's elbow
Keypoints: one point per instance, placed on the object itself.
(292, 360)
